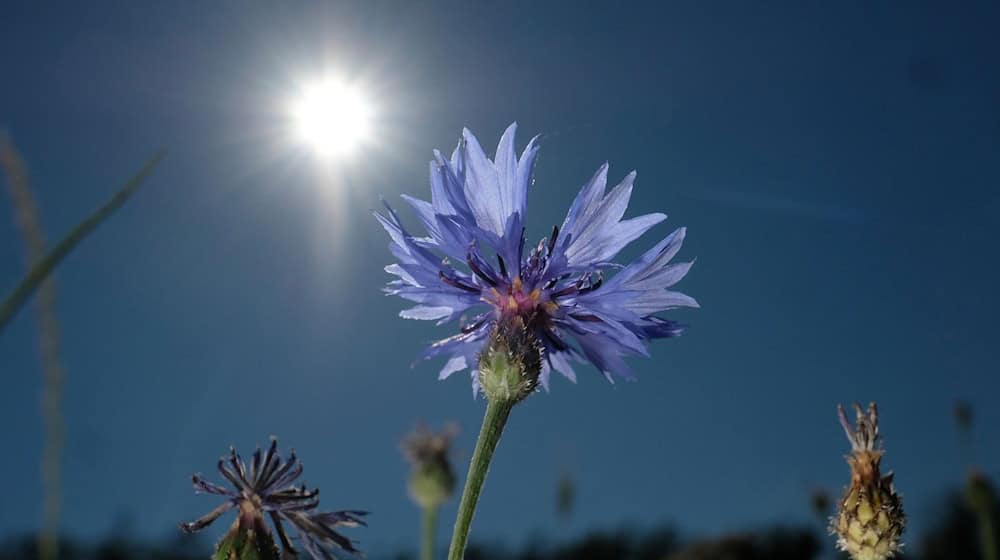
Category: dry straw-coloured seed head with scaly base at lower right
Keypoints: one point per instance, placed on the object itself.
(870, 517)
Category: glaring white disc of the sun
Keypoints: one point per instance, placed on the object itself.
(332, 116)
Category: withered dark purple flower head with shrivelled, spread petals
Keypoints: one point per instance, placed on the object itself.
(268, 487)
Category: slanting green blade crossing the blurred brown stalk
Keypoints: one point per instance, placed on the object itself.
(42, 268)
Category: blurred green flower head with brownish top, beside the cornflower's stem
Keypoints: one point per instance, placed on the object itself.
(432, 481)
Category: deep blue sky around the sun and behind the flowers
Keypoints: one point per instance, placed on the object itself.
(836, 168)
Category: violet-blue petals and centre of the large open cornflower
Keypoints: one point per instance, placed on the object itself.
(557, 289)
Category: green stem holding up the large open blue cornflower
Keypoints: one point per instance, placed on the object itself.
(494, 421)
